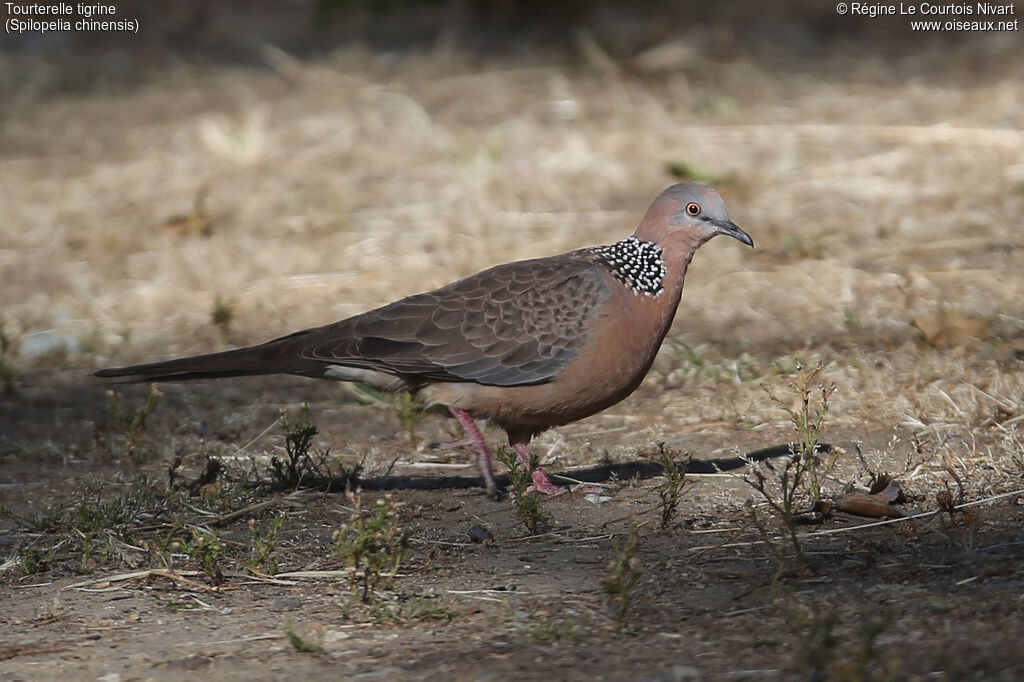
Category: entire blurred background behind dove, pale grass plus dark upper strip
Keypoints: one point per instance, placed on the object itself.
(237, 170)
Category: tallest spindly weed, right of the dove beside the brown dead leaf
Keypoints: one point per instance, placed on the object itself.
(803, 473)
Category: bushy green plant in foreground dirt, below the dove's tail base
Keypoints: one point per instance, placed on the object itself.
(372, 545)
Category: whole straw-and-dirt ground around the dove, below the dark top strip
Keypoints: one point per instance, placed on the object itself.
(215, 204)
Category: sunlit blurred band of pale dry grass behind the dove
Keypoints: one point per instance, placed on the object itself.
(339, 186)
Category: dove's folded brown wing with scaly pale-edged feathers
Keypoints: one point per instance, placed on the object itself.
(511, 325)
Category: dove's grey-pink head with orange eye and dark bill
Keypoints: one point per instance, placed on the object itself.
(689, 214)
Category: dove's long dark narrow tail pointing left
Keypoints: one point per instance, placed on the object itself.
(279, 357)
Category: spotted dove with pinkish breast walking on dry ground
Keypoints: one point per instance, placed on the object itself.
(528, 346)
